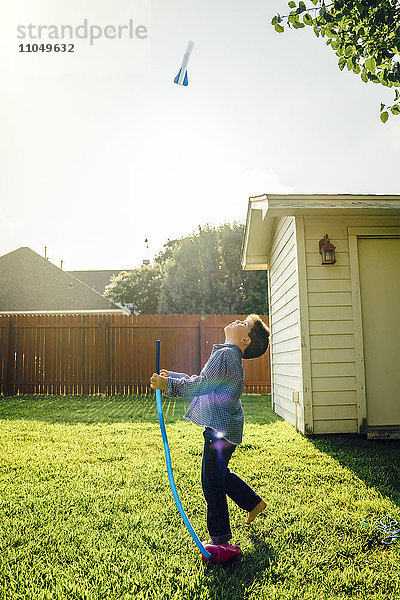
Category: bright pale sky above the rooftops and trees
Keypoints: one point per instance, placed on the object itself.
(101, 150)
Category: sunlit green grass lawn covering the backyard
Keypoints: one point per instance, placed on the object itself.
(86, 511)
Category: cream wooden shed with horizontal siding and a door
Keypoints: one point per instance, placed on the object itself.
(335, 328)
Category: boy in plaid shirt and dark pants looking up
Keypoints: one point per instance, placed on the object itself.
(216, 406)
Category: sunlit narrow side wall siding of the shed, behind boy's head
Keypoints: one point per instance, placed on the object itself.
(284, 320)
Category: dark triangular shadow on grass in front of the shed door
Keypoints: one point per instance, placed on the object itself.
(376, 462)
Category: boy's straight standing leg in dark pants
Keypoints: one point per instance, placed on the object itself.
(216, 455)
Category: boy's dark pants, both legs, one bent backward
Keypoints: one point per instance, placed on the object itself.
(218, 482)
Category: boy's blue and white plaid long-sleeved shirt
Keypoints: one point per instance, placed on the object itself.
(216, 392)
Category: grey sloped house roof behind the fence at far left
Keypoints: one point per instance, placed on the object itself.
(29, 282)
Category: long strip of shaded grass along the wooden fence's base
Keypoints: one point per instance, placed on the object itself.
(116, 409)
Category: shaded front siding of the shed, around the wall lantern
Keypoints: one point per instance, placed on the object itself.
(333, 368)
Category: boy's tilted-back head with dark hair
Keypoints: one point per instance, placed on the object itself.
(251, 335)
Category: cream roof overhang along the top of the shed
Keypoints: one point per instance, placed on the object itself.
(263, 209)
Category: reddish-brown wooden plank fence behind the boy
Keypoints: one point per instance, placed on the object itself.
(109, 354)
